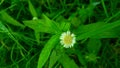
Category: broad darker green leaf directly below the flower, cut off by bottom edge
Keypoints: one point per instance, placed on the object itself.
(67, 62)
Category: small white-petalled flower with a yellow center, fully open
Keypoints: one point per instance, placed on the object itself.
(67, 39)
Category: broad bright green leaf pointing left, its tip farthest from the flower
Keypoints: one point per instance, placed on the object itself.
(39, 26)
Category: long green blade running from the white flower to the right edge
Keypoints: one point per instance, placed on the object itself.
(98, 30)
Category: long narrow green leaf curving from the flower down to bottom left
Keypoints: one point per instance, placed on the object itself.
(44, 55)
